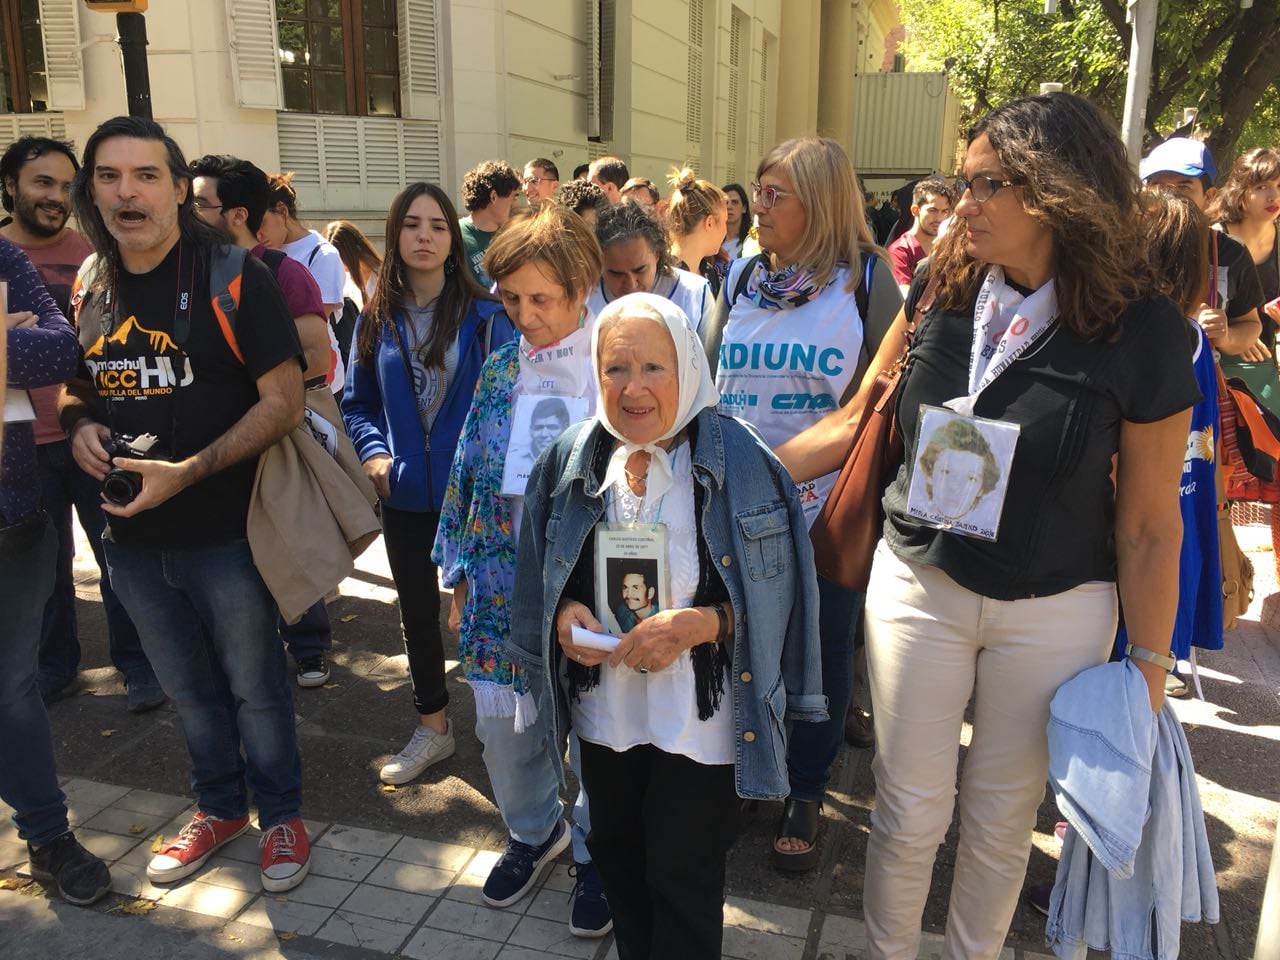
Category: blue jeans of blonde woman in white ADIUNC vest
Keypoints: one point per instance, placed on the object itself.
(813, 747)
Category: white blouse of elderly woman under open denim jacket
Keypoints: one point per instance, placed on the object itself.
(629, 708)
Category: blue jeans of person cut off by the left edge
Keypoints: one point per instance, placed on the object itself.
(29, 781)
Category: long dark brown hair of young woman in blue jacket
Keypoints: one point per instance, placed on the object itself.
(461, 290)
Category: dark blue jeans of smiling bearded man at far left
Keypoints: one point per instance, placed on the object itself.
(65, 487)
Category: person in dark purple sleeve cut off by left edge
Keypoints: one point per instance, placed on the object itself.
(42, 349)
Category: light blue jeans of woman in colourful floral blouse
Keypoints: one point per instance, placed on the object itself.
(525, 783)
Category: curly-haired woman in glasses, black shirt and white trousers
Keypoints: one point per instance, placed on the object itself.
(1044, 331)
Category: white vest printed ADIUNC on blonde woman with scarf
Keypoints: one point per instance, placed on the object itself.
(783, 371)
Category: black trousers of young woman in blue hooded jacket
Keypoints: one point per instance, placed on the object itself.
(409, 538)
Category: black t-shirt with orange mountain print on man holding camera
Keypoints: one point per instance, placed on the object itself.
(135, 371)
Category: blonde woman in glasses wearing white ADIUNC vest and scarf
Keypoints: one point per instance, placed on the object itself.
(792, 348)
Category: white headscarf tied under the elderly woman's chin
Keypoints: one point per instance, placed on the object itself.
(697, 385)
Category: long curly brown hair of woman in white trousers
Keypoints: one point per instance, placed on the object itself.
(1077, 182)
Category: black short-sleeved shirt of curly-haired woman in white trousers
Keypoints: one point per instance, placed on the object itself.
(1069, 397)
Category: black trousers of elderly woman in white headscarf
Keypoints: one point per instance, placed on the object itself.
(661, 829)
